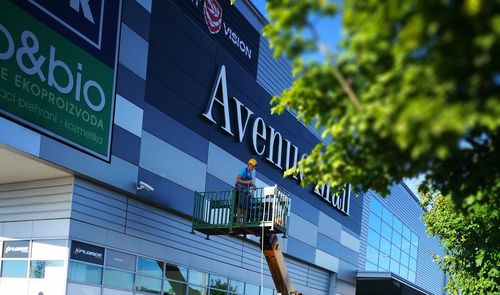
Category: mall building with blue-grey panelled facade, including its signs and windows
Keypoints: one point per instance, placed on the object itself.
(99, 97)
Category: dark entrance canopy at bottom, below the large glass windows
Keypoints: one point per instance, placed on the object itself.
(385, 283)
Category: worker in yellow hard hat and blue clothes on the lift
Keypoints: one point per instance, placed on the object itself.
(244, 181)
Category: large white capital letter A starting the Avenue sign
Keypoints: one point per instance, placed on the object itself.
(220, 84)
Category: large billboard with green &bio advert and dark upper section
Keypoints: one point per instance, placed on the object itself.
(57, 75)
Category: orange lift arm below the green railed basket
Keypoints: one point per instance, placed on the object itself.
(276, 262)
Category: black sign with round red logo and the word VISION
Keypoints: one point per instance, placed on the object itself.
(224, 23)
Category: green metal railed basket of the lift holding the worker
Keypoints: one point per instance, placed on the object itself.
(241, 211)
